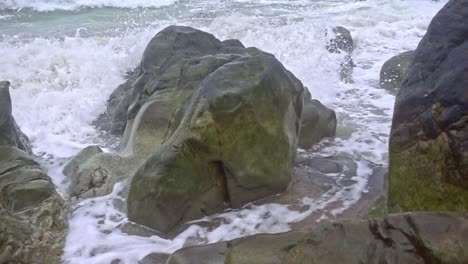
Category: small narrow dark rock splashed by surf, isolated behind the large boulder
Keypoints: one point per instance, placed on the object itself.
(342, 42)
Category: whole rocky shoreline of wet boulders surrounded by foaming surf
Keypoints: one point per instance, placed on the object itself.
(208, 125)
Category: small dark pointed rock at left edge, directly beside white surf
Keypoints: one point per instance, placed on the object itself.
(10, 133)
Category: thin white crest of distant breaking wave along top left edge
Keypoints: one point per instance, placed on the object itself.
(69, 5)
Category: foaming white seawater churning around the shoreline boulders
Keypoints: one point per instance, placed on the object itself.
(64, 64)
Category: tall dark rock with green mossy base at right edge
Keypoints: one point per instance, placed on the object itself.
(429, 137)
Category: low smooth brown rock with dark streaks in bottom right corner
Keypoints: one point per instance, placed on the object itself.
(404, 238)
